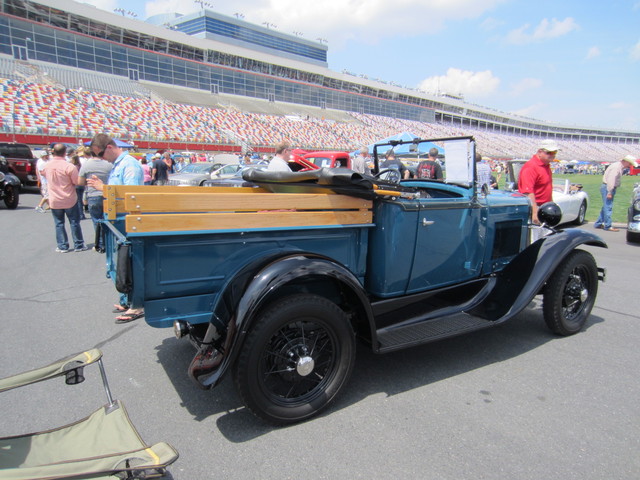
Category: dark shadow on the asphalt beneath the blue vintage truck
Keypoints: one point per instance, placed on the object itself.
(392, 373)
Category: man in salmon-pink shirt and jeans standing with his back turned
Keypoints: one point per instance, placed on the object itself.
(62, 178)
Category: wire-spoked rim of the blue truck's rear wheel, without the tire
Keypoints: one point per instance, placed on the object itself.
(298, 362)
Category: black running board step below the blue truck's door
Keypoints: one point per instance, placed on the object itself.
(394, 338)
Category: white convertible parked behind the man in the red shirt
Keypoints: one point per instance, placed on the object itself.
(570, 197)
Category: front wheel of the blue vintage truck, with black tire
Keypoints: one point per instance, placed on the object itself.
(570, 293)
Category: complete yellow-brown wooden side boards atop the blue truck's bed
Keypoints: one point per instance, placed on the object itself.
(166, 209)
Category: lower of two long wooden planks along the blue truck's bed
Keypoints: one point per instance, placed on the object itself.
(243, 221)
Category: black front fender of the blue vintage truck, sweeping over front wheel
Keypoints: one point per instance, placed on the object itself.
(523, 278)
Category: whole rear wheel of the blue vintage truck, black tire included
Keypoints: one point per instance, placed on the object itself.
(296, 359)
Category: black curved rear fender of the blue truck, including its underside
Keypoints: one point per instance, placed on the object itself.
(295, 273)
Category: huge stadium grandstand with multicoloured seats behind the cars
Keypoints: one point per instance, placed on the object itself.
(68, 70)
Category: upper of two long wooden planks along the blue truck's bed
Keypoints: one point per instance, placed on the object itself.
(231, 201)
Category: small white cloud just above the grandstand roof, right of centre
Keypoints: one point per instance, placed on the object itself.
(456, 81)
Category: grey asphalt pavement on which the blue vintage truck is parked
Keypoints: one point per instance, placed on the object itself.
(511, 402)
